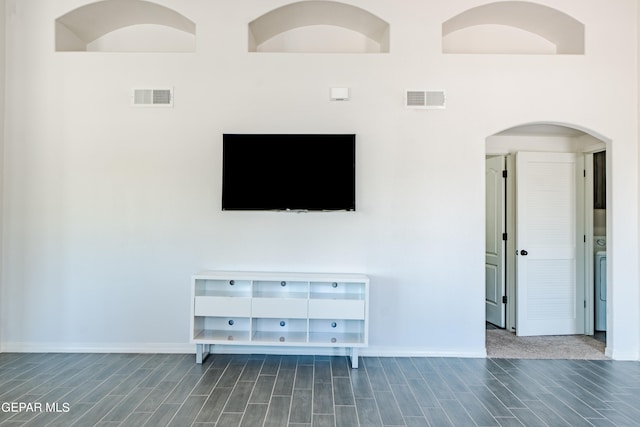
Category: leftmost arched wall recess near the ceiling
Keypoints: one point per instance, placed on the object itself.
(79, 29)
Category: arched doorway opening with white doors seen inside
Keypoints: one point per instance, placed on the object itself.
(504, 282)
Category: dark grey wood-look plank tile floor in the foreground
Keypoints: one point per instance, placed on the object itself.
(267, 390)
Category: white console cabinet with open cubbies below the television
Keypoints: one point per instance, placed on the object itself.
(279, 309)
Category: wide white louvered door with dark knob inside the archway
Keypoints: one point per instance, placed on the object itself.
(550, 244)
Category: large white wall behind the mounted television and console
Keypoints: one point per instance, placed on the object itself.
(109, 208)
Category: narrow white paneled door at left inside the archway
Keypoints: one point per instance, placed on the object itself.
(494, 244)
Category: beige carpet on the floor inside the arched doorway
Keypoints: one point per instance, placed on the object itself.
(504, 344)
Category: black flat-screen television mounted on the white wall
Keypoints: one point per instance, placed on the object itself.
(297, 172)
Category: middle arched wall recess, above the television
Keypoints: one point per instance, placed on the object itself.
(306, 18)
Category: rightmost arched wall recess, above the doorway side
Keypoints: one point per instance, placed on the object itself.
(550, 30)
